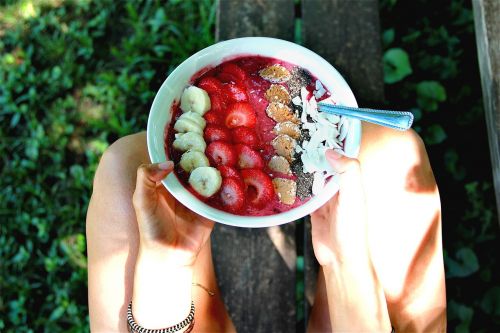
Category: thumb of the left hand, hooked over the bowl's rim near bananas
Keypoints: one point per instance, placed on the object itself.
(148, 176)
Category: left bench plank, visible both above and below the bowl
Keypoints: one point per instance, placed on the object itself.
(256, 267)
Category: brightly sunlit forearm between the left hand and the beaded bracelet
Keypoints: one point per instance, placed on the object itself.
(162, 291)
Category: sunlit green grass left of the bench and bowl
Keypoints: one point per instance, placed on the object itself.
(74, 77)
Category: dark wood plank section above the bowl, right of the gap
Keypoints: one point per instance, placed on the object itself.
(347, 34)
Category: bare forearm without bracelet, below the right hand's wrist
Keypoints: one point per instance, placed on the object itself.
(356, 300)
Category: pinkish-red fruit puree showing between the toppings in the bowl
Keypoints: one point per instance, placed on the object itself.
(256, 87)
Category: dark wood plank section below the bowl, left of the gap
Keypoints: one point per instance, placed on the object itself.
(257, 284)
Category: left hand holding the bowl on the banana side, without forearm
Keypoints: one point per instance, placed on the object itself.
(165, 225)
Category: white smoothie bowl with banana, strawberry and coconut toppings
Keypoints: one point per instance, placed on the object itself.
(240, 121)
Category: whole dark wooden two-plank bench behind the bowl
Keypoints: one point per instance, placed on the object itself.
(256, 268)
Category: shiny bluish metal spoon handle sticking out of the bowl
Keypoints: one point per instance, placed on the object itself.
(400, 120)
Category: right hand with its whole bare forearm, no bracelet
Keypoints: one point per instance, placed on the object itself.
(356, 300)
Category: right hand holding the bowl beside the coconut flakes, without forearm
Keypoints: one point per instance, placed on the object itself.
(339, 229)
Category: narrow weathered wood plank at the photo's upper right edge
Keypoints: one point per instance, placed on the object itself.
(487, 23)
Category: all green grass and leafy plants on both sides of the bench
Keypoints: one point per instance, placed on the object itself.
(77, 75)
